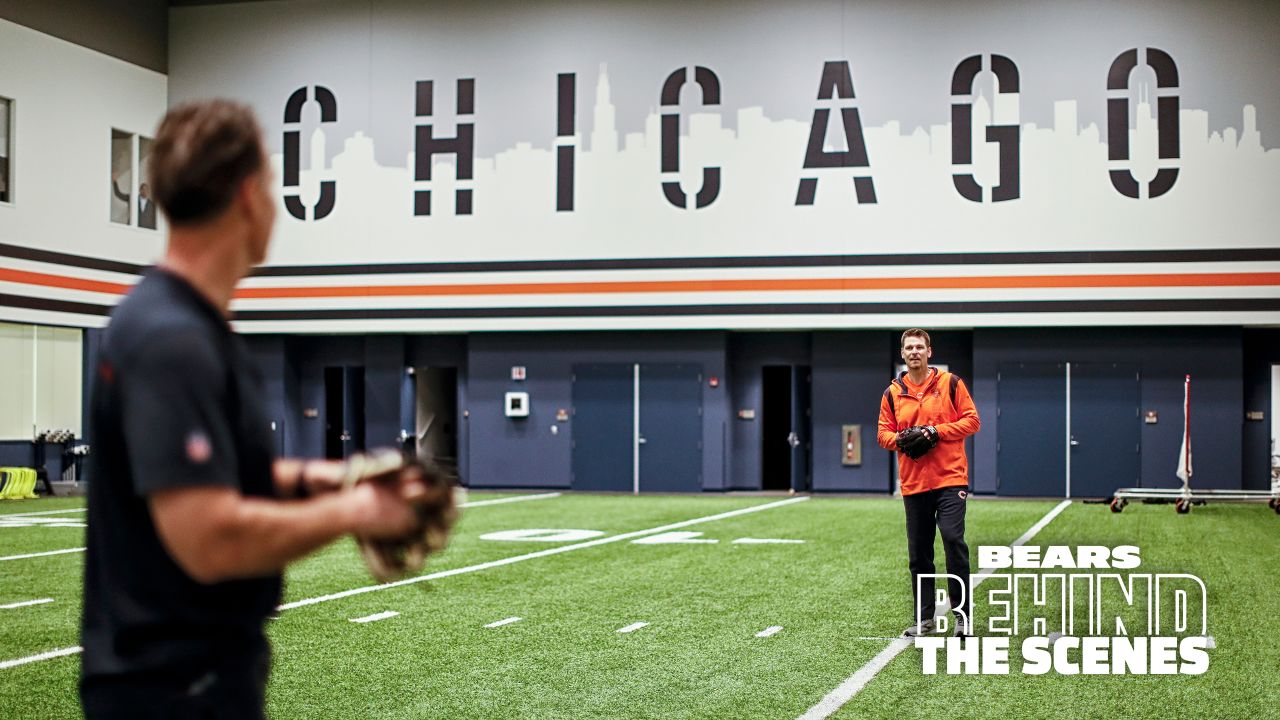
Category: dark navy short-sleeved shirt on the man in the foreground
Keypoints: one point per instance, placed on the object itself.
(177, 404)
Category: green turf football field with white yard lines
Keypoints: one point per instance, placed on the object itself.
(835, 596)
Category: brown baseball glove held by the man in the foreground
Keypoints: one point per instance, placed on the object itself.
(390, 559)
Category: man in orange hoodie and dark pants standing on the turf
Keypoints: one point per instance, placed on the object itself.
(925, 416)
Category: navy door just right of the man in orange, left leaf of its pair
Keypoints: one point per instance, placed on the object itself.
(1031, 449)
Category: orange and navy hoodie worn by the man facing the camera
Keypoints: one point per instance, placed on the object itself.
(944, 403)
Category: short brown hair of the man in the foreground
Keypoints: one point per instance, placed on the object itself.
(202, 156)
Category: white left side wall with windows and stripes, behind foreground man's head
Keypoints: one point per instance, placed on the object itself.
(67, 99)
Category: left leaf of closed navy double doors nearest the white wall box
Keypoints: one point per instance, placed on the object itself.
(604, 427)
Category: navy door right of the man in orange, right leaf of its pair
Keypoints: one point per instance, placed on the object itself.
(1105, 432)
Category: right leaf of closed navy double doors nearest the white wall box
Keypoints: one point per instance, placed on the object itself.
(671, 429)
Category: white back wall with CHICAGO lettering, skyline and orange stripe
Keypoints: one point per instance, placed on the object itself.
(484, 272)
